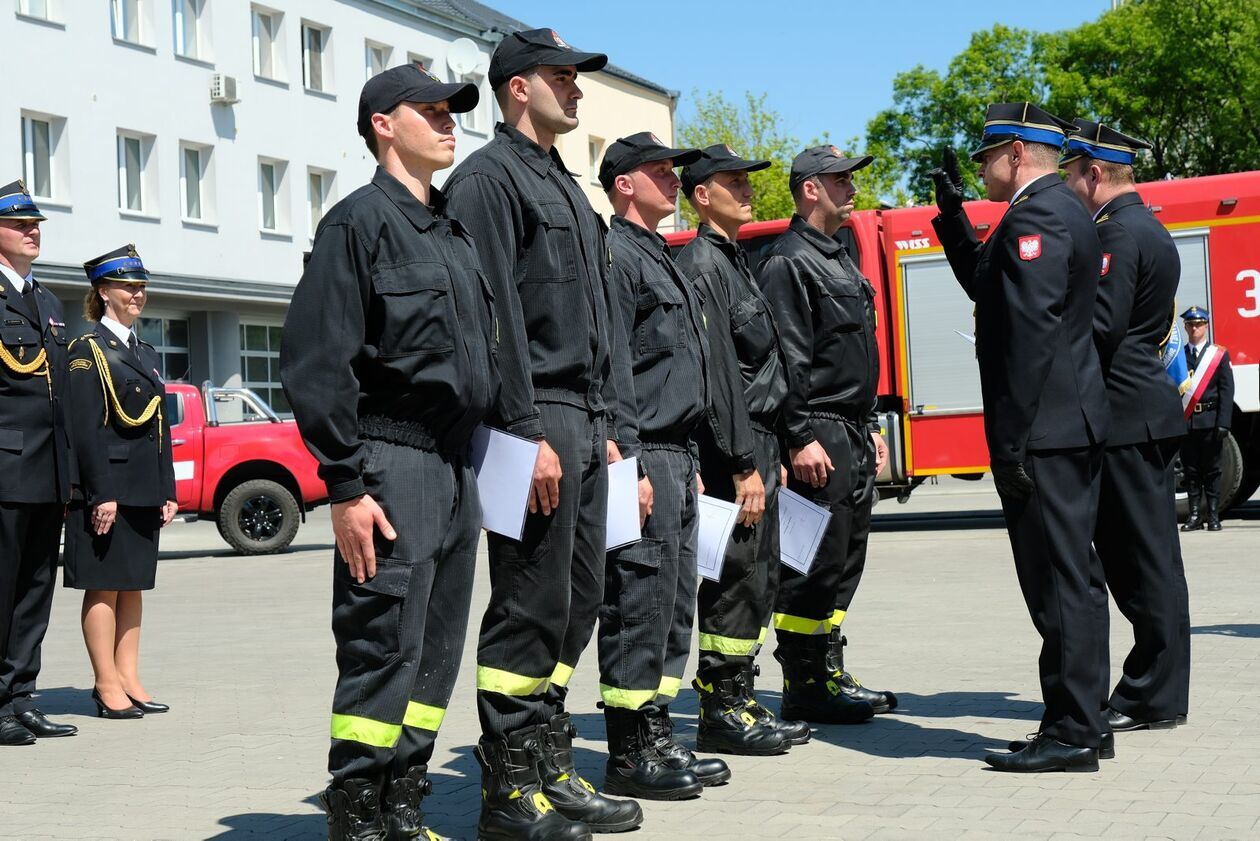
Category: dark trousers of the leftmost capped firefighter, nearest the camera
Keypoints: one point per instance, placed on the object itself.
(400, 635)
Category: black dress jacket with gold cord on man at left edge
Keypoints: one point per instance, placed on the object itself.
(36, 463)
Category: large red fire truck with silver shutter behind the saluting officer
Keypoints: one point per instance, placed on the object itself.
(929, 381)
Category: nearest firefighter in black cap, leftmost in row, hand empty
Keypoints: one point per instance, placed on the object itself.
(389, 362)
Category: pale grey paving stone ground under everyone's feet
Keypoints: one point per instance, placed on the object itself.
(241, 650)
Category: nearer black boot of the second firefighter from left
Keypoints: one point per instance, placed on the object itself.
(513, 806)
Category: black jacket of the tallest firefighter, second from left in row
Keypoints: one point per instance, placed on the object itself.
(542, 246)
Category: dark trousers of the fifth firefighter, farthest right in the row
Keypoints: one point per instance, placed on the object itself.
(813, 605)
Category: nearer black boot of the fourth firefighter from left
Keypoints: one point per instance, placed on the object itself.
(728, 726)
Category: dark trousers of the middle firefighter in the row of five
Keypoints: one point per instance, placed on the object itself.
(650, 591)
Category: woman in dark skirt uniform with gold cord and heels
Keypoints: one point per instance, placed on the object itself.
(128, 481)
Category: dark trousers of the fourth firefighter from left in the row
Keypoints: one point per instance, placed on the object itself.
(733, 613)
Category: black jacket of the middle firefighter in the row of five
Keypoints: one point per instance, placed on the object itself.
(662, 318)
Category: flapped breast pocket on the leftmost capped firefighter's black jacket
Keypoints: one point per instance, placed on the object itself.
(415, 312)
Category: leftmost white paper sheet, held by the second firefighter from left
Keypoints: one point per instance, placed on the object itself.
(505, 467)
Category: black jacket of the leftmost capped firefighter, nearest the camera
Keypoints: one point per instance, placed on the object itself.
(391, 333)
